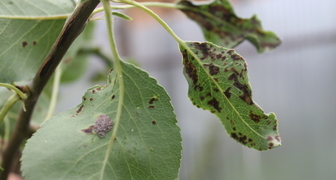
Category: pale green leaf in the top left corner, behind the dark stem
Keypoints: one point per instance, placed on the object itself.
(27, 31)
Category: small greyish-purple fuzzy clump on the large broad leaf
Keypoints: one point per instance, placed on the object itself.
(102, 125)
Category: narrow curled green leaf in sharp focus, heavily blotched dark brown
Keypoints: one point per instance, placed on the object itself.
(218, 82)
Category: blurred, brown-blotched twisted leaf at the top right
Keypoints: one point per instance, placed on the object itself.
(221, 26)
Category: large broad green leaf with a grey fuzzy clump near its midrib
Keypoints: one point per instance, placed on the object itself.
(147, 144)
